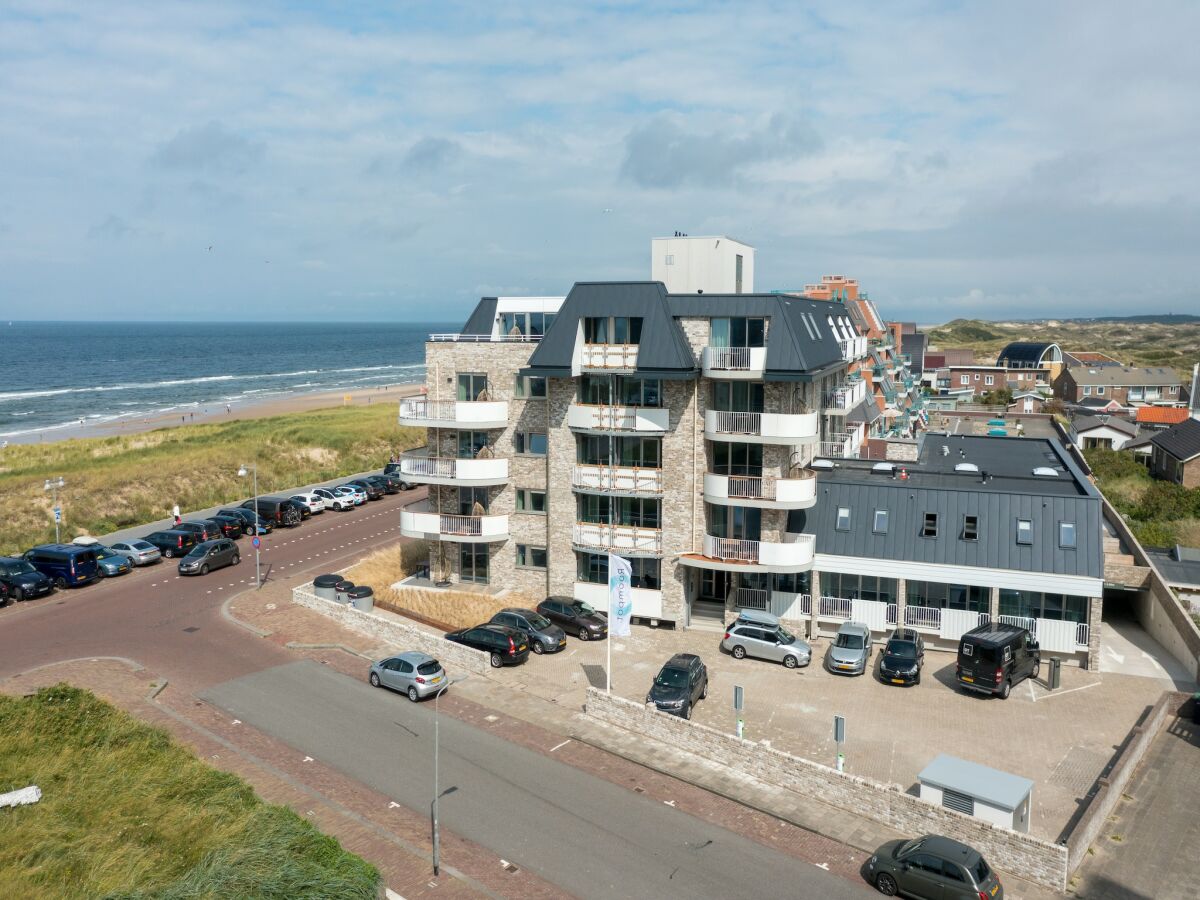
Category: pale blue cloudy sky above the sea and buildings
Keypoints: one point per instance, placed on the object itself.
(227, 161)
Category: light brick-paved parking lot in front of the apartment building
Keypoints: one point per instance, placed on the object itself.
(1060, 740)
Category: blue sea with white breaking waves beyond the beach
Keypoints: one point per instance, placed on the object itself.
(56, 374)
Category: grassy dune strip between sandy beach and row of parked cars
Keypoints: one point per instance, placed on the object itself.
(115, 483)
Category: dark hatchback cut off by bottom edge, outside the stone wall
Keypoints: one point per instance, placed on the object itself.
(933, 868)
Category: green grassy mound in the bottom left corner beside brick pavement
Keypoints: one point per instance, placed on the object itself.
(128, 813)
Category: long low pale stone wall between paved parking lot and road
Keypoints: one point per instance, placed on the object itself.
(1034, 860)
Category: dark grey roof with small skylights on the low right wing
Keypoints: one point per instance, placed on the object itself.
(1011, 493)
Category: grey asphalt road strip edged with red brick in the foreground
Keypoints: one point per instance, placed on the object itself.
(587, 836)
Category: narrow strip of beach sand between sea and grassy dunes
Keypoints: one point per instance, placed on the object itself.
(217, 412)
